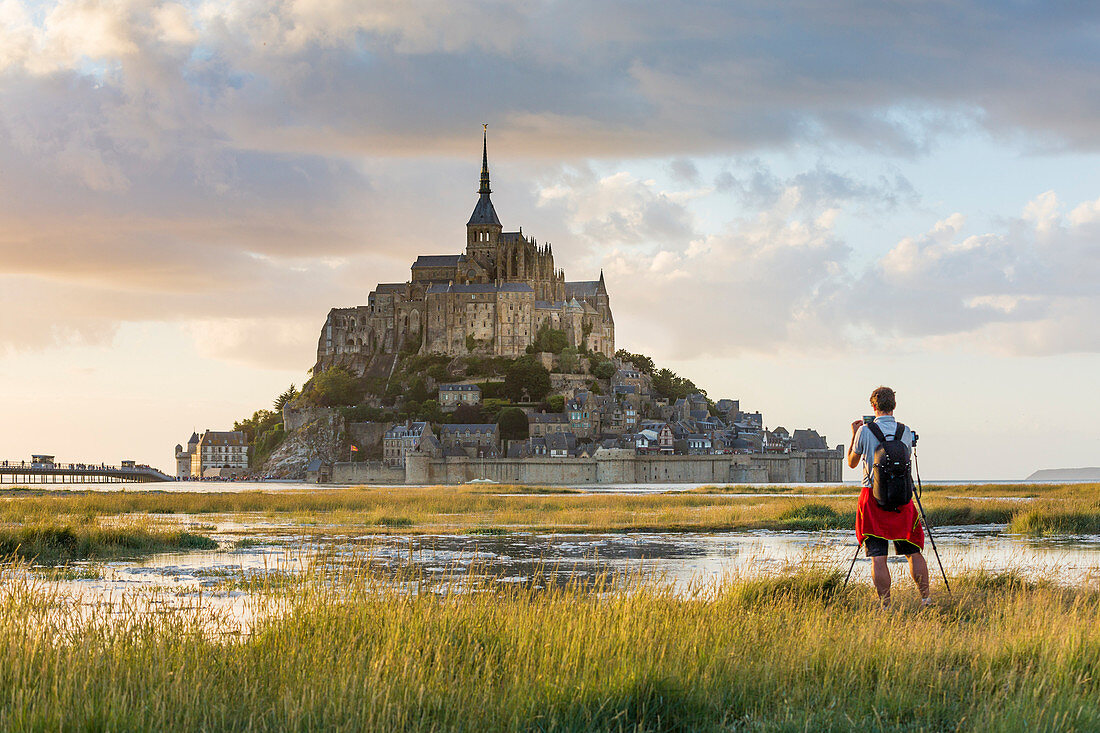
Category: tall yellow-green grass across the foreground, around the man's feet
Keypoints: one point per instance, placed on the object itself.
(788, 653)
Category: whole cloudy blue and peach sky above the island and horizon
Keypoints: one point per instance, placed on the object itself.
(793, 203)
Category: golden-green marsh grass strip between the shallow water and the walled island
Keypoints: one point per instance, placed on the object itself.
(1069, 509)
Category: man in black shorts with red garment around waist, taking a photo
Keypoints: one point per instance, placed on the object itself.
(876, 527)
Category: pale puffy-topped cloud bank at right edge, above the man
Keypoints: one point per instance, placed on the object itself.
(1030, 289)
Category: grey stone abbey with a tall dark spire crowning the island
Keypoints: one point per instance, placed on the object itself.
(491, 300)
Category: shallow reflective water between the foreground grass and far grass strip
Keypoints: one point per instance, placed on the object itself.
(212, 579)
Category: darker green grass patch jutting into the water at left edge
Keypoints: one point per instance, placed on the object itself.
(54, 543)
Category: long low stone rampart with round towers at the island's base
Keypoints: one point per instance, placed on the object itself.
(607, 467)
